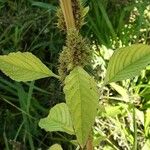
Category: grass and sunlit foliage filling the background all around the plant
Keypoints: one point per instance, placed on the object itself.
(31, 26)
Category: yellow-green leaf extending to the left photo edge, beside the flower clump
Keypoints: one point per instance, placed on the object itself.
(24, 67)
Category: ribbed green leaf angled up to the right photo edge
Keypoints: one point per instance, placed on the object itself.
(127, 62)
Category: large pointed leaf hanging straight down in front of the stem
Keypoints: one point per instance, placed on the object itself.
(82, 100)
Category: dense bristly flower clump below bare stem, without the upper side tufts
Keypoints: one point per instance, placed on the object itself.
(77, 52)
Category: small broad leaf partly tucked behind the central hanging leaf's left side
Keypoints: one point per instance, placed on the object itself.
(58, 120)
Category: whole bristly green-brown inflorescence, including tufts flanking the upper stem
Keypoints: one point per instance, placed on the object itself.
(77, 51)
